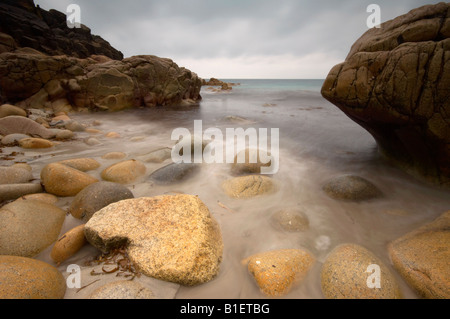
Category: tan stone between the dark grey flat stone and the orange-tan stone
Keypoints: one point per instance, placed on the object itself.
(124, 172)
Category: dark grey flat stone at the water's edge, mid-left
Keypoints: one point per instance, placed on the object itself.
(174, 173)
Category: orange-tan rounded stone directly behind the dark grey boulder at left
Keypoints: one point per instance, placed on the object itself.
(64, 181)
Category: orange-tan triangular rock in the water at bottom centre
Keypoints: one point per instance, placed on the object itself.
(277, 272)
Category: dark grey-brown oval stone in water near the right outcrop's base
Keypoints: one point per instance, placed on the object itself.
(351, 188)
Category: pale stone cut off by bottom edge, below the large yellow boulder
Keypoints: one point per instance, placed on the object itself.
(122, 290)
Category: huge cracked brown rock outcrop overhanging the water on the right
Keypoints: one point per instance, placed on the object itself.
(395, 83)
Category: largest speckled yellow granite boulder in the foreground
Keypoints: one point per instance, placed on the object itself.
(172, 238)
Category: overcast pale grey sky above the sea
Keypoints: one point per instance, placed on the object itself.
(236, 39)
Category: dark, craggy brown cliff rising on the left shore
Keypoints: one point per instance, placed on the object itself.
(44, 64)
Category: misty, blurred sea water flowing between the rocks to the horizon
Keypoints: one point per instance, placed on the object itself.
(317, 142)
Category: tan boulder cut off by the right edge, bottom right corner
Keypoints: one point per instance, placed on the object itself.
(422, 258)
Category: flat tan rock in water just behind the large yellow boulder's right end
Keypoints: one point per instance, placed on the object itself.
(248, 186)
